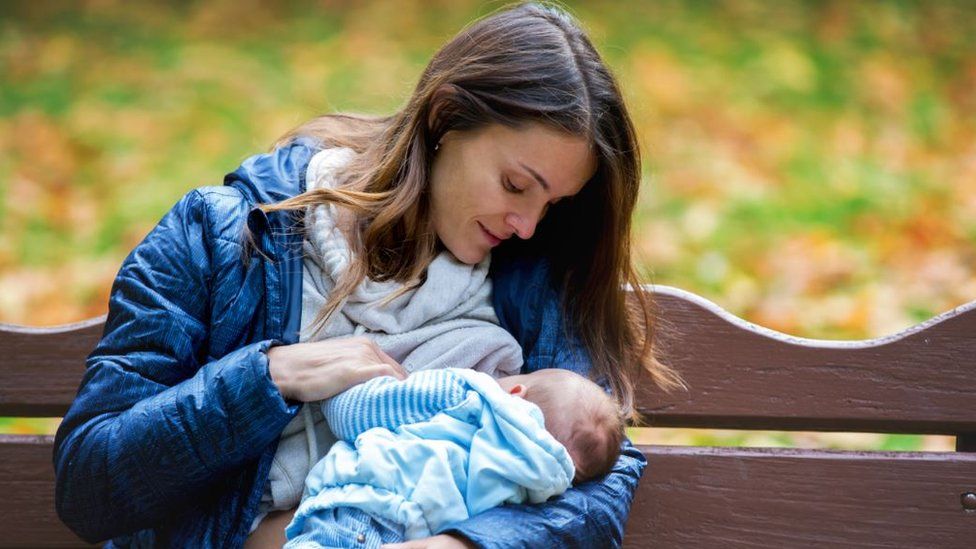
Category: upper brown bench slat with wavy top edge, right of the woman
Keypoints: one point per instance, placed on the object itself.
(742, 376)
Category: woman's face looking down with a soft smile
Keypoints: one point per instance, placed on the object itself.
(494, 183)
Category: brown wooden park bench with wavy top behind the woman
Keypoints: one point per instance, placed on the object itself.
(741, 376)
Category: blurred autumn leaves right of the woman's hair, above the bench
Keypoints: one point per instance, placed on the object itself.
(813, 165)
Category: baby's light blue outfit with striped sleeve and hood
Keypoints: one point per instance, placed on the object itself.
(433, 450)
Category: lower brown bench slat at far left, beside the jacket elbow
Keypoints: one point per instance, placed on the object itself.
(27, 515)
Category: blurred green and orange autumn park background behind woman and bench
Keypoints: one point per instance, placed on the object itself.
(810, 166)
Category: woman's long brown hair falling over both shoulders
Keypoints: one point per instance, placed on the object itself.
(527, 63)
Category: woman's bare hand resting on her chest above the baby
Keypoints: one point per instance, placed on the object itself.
(316, 371)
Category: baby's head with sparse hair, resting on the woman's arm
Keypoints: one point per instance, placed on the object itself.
(578, 413)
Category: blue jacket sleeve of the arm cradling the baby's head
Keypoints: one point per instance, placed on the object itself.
(591, 514)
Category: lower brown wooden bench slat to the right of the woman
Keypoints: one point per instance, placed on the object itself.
(735, 497)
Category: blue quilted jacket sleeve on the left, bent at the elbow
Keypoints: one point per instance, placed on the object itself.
(156, 420)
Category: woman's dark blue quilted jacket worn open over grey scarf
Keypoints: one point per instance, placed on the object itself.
(170, 438)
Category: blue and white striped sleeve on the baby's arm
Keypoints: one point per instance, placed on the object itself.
(388, 402)
